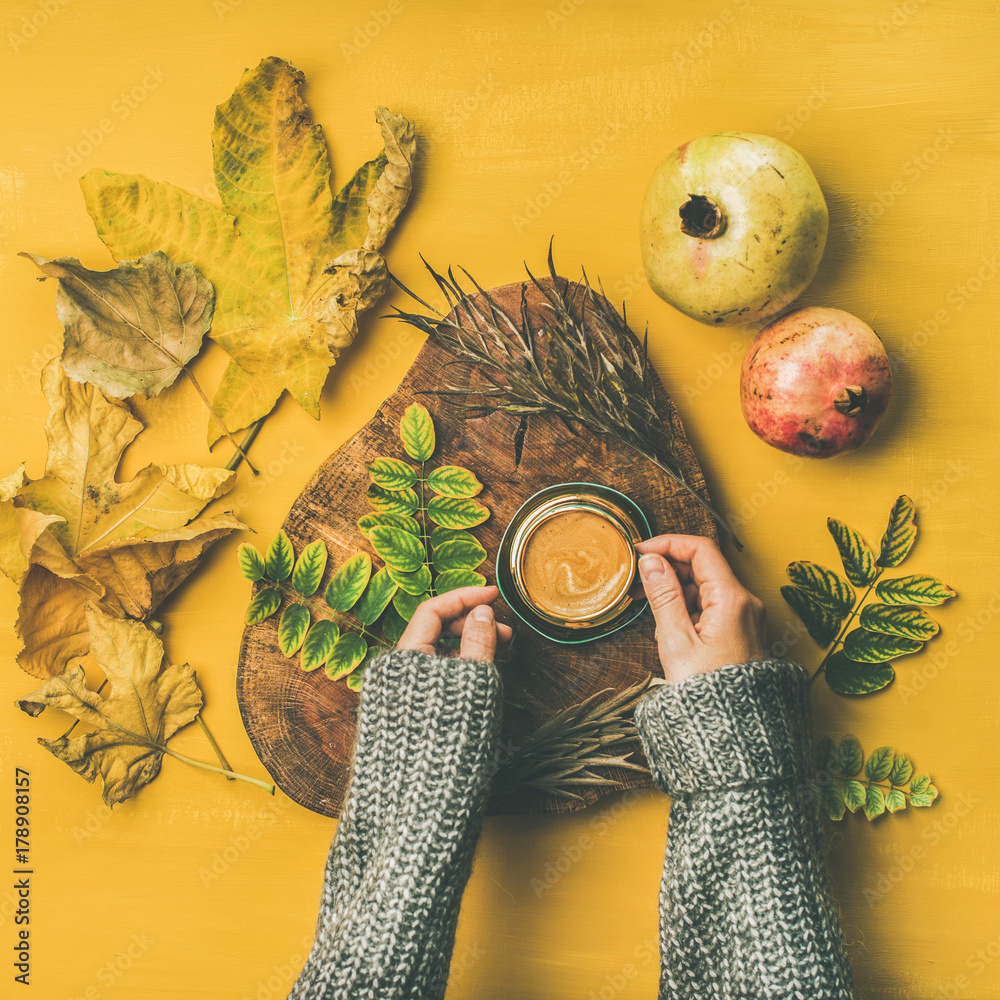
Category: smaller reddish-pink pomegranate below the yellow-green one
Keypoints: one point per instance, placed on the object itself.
(815, 382)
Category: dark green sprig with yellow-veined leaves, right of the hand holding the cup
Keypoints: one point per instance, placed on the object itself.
(894, 625)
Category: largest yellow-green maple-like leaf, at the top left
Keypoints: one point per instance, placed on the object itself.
(292, 265)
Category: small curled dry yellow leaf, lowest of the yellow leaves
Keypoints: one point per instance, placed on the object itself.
(131, 725)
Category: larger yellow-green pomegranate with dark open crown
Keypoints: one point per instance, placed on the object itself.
(733, 227)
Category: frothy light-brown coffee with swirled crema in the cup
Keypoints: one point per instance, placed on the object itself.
(576, 564)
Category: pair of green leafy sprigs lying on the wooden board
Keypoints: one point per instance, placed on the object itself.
(418, 562)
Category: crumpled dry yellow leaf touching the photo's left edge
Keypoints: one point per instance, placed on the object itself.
(77, 535)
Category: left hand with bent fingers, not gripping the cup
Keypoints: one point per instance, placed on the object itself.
(465, 612)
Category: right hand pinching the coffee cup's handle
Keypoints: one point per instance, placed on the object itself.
(704, 617)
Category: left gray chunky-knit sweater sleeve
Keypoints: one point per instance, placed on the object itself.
(425, 750)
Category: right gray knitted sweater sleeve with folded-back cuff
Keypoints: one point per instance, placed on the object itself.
(745, 906)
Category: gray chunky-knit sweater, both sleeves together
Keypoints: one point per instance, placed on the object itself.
(745, 908)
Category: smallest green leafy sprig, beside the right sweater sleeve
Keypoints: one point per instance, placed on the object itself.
(887, 784)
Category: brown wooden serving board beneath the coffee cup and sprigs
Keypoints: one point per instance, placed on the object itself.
(302, 725)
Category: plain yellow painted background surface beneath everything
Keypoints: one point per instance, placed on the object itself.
(558, 111)
